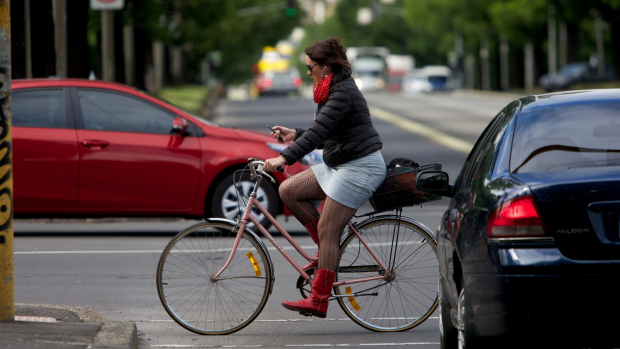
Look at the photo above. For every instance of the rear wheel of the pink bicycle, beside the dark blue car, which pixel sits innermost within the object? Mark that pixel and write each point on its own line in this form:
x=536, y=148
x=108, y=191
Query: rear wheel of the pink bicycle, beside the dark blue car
x=408, y=296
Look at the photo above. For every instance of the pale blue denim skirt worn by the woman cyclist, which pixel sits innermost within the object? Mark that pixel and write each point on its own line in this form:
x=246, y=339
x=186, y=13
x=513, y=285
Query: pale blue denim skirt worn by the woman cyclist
x=353, y=182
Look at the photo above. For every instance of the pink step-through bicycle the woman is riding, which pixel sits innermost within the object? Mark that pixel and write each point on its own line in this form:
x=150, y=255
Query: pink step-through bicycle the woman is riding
x=215, y=277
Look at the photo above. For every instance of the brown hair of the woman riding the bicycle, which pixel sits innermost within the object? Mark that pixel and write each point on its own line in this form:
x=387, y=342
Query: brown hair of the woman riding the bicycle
x=330, y=52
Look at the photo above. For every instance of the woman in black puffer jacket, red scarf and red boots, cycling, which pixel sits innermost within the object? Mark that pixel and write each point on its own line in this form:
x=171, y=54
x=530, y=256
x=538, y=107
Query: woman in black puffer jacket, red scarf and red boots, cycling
x=353, y=169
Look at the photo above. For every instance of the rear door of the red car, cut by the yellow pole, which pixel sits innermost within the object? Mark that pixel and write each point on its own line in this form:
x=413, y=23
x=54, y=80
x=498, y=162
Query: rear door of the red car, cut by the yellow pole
x=45, y=151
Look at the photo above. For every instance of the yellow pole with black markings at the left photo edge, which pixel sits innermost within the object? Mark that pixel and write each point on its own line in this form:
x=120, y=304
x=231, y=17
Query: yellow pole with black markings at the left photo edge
x=7, y=288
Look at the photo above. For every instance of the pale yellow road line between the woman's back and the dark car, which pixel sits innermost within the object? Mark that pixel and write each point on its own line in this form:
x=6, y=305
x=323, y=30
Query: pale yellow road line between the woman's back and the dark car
x=422, y=130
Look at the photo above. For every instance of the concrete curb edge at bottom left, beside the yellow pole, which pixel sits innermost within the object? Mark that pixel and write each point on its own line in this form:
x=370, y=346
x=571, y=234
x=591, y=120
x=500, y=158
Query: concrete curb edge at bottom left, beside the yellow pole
x=117, y=335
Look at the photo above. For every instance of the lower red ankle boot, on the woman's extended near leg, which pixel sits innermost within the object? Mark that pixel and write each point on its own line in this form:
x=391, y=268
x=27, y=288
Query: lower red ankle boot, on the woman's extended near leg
x=317, y=303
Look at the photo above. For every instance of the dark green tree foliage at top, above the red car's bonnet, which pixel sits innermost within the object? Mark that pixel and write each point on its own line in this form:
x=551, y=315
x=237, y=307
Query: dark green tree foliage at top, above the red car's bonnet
x=202, y=26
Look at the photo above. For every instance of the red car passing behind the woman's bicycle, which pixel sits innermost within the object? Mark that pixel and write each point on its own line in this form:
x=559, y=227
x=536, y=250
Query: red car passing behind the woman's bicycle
x=92, y=148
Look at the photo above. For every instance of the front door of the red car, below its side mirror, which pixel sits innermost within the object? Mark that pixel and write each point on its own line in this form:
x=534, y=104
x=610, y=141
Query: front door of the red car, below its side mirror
x=129, y=159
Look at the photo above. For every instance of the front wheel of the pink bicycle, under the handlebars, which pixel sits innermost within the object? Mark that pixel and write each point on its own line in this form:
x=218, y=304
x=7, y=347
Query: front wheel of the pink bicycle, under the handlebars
x=203, y=305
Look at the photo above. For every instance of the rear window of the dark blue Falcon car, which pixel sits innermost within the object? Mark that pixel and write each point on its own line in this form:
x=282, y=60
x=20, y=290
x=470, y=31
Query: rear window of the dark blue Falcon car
x=567, y=137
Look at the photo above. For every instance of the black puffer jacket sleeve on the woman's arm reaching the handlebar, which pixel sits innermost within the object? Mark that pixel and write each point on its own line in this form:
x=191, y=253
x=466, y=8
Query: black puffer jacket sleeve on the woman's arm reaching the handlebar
x=337, y=106
